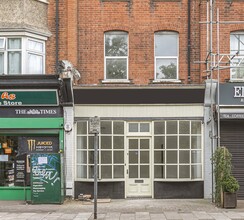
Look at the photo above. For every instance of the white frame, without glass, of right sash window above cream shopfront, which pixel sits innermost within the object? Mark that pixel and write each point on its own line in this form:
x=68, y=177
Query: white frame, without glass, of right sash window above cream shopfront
x=166, y=57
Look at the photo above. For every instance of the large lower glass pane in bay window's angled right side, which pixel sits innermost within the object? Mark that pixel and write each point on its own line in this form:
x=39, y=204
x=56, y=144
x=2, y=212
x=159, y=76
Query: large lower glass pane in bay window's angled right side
x=35, y=64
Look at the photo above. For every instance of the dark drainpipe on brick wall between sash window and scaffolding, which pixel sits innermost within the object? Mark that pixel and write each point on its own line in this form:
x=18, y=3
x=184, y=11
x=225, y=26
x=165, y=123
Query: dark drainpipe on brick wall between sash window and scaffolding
x=189, y=41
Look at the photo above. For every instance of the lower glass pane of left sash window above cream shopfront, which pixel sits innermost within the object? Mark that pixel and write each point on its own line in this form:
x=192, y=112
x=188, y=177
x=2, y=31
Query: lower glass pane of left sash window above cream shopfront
x=116, y=68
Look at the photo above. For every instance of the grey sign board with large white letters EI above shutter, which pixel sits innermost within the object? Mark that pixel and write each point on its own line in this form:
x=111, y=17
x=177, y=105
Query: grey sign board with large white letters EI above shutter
x=231, y=94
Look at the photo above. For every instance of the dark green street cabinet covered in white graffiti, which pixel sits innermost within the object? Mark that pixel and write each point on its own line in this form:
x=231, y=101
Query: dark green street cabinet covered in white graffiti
x=45, y=178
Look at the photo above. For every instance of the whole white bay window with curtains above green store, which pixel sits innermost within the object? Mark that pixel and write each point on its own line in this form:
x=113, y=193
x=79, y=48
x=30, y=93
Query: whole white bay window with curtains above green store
x=21, y=55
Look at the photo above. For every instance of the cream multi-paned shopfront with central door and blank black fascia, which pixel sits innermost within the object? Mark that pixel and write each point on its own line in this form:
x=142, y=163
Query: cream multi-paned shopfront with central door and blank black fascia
x=150, y=144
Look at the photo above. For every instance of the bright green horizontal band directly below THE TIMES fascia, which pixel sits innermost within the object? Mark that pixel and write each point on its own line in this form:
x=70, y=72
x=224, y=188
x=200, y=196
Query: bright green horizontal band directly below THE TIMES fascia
x=31, y=123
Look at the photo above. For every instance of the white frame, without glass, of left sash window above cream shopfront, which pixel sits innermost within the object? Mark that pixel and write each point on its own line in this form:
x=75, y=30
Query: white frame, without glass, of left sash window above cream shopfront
x=116, y=57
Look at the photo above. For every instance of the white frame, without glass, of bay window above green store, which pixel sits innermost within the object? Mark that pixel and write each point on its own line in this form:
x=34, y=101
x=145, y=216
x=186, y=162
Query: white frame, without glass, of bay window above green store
x=24, y=51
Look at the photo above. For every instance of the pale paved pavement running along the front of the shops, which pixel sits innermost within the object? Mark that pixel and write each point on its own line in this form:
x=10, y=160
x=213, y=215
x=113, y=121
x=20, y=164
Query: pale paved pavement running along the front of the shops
x=122, y=209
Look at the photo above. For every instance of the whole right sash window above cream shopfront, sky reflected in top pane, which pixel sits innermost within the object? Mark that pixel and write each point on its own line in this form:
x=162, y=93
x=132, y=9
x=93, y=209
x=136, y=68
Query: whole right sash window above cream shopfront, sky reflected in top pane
x=166, y=55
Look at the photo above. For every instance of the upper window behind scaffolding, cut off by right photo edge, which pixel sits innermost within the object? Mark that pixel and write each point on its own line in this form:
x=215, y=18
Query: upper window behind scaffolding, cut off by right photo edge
x=237, y=51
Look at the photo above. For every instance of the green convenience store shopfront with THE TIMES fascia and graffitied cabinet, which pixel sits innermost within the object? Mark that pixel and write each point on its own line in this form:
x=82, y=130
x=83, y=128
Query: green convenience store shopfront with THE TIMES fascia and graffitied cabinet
x=31, y=141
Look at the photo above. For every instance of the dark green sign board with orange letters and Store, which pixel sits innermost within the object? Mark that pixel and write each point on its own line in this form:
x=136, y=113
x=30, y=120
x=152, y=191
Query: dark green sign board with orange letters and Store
x=15, y=98
